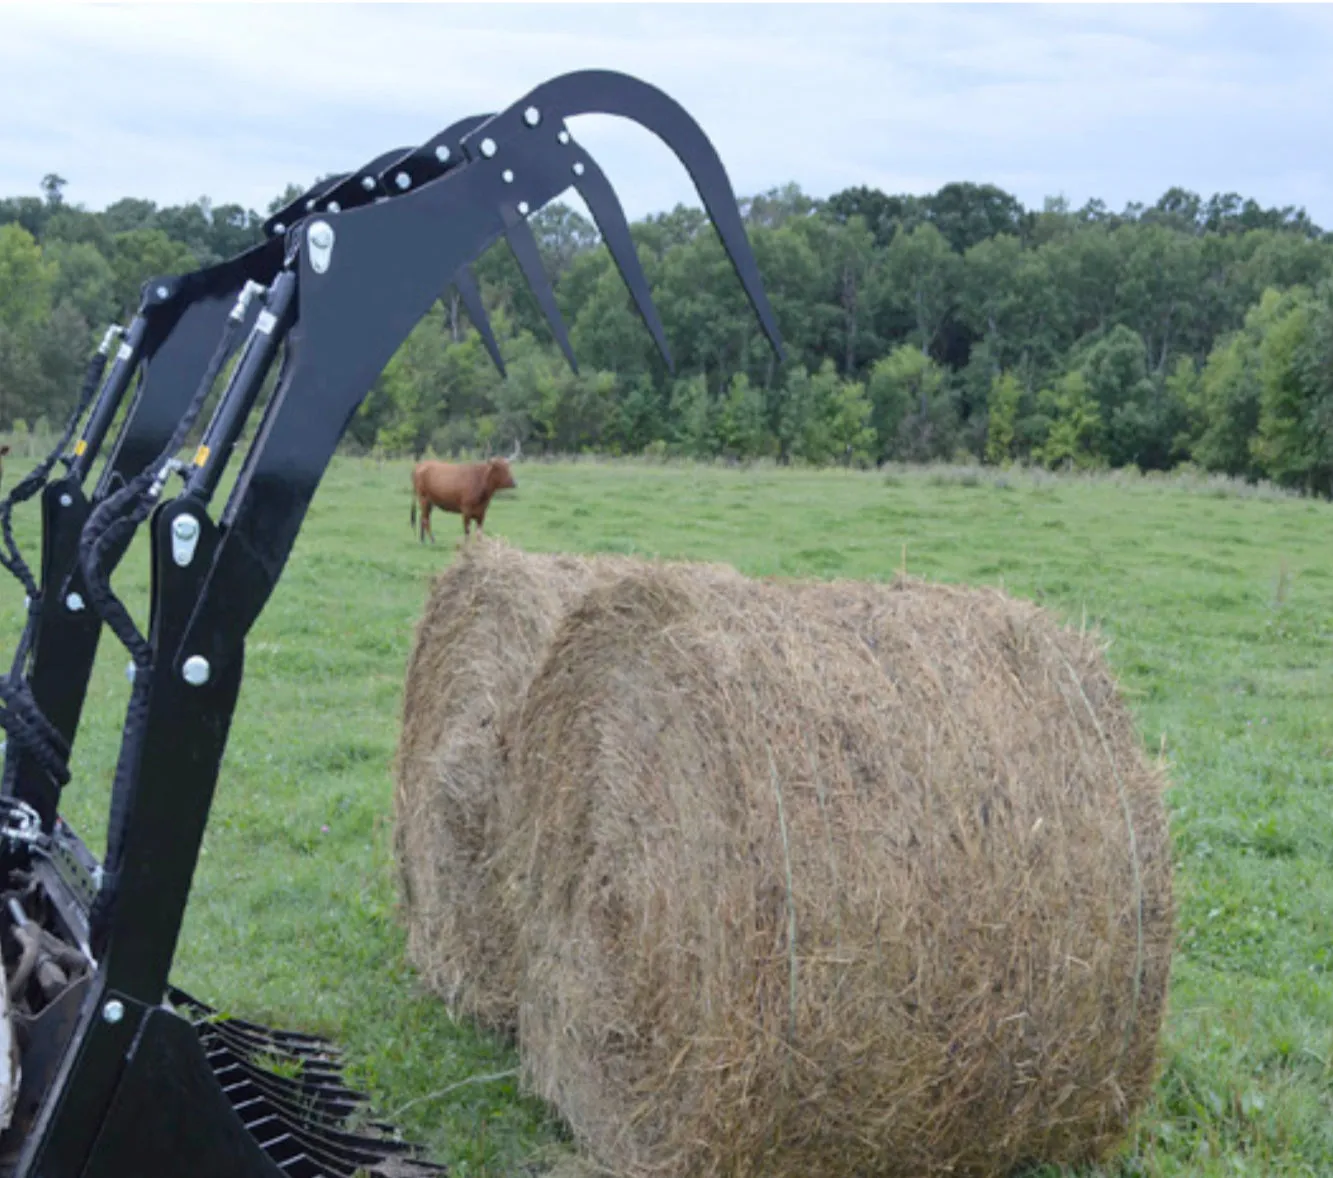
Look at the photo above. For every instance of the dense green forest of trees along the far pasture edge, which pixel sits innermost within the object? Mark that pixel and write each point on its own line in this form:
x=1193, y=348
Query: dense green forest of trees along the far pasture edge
x=958, y=326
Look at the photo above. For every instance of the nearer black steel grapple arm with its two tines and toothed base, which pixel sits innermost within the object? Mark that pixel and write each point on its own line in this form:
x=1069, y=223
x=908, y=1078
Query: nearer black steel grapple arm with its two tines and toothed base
x=125, y=1075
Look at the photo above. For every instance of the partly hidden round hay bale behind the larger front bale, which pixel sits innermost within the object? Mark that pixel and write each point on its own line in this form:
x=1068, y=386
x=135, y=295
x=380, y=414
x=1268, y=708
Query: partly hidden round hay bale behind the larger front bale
x=485, y=630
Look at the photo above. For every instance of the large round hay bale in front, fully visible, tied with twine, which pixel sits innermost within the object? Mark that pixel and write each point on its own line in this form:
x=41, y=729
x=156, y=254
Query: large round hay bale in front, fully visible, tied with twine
x=834, y=880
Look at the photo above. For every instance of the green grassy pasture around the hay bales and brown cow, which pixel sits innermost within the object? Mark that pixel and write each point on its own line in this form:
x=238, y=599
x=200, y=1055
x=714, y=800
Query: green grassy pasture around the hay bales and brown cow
x=1220, y=612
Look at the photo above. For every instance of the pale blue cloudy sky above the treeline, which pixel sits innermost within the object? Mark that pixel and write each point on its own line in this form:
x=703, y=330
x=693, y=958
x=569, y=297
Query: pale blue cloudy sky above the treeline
x=174, y=102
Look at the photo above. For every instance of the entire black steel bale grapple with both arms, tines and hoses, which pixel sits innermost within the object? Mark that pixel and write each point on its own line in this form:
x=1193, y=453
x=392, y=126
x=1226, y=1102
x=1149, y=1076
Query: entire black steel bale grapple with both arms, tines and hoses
x=107, y=1069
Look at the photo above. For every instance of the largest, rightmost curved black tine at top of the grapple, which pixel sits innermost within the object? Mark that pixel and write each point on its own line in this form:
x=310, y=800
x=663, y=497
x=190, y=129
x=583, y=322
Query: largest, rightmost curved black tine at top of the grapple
x=609, y=93
